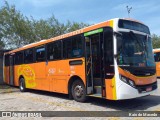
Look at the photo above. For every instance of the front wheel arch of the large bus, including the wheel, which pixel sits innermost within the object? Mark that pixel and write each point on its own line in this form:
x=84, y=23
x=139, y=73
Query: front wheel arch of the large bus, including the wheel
x=75, y=88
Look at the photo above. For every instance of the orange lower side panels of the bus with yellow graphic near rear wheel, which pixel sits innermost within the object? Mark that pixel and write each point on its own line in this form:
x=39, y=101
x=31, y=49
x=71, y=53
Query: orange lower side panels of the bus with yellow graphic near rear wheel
x=52, y=76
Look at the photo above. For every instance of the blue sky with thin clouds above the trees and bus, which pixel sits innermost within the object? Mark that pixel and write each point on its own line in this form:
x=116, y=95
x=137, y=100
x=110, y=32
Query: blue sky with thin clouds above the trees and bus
x=91, y=11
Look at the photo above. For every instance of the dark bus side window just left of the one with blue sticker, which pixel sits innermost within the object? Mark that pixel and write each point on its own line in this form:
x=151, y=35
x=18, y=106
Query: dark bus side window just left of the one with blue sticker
x=28, y=56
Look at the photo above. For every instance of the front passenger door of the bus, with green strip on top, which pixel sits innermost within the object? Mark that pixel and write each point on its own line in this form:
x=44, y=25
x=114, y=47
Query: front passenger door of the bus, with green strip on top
x=94, y=62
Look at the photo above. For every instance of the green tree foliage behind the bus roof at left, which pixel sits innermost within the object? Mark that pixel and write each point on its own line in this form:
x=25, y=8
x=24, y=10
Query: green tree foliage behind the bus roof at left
x=17, y=30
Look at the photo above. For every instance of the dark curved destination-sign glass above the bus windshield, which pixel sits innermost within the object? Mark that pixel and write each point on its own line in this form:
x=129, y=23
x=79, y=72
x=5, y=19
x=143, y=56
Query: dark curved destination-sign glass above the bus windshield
x=133, y=26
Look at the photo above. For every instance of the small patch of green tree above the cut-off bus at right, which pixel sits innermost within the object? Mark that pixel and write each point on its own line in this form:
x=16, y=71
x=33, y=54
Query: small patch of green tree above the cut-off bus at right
x=156, y=41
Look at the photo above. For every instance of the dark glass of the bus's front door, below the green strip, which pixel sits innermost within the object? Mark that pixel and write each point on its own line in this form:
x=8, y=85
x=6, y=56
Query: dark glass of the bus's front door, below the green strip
x=93, y=61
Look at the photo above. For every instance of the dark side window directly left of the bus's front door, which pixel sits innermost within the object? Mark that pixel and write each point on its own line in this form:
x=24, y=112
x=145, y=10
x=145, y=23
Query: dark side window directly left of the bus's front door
x=73, y=47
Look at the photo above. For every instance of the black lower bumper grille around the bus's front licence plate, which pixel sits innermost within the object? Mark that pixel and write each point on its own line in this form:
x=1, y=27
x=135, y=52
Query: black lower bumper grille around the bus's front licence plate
x=143, y=88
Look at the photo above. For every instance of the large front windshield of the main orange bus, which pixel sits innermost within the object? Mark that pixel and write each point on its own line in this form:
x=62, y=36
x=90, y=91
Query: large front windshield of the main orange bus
x=135, y=50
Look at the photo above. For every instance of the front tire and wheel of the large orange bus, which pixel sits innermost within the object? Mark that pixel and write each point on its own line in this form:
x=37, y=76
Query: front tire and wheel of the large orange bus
x=78, y=91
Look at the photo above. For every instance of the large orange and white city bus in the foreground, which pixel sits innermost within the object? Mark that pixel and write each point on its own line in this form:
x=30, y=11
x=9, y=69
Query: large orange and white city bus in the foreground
x=111, y=60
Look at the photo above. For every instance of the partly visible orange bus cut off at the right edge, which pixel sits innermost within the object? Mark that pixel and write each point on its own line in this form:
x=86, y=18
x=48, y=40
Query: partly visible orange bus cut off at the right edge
x=157, y=60
